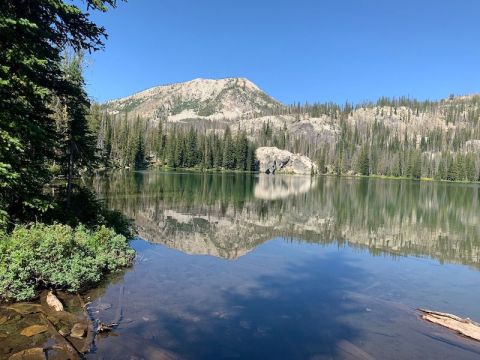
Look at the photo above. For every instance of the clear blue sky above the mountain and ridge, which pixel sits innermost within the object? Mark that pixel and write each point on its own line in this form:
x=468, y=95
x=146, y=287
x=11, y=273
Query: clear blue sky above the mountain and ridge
x=296, y=50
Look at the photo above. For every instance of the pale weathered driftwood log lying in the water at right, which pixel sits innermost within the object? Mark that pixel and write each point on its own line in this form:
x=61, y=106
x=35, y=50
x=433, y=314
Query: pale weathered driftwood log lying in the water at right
x=465, y=327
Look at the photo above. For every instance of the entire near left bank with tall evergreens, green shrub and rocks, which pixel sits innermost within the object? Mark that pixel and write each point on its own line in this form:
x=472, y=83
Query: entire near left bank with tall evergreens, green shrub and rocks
x=56, y=237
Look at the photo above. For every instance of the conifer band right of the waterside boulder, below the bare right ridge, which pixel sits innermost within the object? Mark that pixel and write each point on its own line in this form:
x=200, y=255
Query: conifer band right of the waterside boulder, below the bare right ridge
x=375, y=150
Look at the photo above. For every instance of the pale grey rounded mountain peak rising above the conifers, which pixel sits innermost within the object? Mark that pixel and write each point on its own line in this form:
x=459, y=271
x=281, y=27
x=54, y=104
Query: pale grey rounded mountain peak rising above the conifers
x=230, y=99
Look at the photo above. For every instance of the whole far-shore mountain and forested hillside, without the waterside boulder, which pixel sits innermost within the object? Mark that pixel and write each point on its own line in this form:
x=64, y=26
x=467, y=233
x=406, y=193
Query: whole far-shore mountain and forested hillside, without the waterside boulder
x=391, y=137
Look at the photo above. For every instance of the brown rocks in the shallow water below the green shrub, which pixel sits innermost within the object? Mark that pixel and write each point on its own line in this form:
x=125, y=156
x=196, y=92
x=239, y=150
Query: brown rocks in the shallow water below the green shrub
x=55, y=327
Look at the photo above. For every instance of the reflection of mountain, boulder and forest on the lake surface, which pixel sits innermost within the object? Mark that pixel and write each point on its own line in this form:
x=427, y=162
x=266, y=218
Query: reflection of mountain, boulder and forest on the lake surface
x=229, y=214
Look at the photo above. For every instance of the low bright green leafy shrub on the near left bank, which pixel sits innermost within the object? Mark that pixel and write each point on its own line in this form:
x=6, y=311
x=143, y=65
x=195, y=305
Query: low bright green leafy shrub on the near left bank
x=58, y=256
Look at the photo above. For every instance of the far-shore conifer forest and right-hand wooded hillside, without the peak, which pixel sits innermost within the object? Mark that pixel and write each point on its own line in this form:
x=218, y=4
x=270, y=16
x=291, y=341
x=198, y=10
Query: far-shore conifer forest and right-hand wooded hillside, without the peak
x=385, y=138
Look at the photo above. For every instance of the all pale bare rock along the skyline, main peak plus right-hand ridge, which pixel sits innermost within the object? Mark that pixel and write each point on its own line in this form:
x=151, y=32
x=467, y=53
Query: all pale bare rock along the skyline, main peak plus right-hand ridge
x=243, y=105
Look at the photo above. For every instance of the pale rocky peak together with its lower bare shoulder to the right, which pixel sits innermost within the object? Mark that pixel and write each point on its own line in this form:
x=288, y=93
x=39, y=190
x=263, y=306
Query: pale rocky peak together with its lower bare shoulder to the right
x=236, y=102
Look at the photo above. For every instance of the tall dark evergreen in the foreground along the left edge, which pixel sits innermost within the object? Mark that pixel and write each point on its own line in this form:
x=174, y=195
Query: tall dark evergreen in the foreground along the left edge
x=33, y=35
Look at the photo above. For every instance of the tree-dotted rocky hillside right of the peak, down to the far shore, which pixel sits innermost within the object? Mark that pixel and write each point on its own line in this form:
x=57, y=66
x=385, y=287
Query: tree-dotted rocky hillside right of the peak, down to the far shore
x=388, y=137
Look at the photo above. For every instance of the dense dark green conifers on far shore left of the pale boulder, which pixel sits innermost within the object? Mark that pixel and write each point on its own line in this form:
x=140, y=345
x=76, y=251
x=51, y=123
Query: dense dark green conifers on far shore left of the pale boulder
x=137, y=143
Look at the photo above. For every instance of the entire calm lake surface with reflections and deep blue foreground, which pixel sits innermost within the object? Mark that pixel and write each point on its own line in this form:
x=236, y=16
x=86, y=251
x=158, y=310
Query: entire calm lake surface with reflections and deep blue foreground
x=290, y=267
